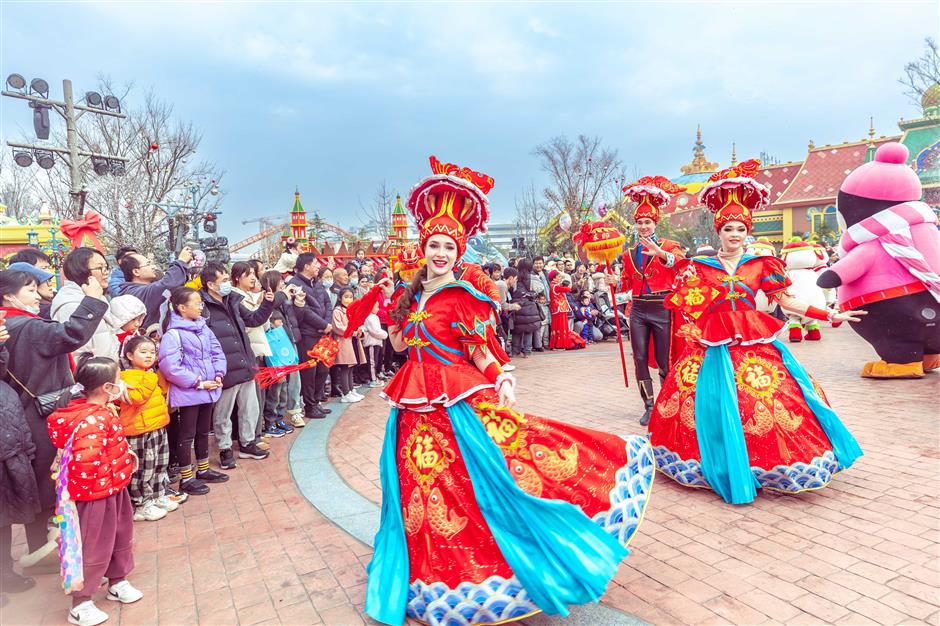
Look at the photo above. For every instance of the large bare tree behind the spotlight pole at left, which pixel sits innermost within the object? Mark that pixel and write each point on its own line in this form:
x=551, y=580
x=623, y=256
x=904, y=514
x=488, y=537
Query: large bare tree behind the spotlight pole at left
x=160, y=170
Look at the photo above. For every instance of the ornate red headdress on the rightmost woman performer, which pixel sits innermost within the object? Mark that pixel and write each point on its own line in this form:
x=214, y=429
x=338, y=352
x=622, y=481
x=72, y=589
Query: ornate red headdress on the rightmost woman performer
x=733, y=194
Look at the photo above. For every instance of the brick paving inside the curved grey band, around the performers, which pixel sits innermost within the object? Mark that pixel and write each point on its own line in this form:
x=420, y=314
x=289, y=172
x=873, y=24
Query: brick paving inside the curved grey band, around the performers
x=864, y=550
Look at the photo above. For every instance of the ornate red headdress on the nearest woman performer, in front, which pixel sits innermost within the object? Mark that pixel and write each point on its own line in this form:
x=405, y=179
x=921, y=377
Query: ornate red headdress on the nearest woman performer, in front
x=451, y=202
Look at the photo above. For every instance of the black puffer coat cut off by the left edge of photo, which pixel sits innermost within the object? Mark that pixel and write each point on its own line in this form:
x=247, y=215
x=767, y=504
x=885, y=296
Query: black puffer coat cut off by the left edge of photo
x=19, y=495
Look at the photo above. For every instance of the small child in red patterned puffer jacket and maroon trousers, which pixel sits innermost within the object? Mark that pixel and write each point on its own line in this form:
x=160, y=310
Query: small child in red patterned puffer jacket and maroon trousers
x=95, y=468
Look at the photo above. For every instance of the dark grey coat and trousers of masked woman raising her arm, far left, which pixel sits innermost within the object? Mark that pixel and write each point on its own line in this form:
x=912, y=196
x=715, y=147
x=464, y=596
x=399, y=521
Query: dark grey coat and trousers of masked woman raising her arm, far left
x=38, y=357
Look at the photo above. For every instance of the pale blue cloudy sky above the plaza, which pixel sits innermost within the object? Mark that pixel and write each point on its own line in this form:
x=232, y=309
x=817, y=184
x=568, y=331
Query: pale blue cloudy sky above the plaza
x=334, y=98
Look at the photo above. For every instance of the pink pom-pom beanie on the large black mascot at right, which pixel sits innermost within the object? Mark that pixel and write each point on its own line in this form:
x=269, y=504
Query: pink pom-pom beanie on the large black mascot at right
x=888, y=177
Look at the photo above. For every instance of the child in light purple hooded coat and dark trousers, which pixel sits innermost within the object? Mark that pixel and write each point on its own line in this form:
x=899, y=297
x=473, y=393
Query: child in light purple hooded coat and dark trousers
x=192, y=361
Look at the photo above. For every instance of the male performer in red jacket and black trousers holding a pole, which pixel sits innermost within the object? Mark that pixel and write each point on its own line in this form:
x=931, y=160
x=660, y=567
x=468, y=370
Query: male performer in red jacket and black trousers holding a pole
x=649, y=269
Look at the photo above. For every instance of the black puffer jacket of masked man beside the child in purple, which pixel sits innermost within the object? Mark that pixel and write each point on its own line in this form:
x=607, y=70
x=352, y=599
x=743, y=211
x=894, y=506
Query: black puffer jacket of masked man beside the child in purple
x=227, y=320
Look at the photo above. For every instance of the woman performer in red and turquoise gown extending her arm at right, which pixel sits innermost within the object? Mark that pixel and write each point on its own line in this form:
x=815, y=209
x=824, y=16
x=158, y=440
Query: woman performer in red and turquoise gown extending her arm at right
x=738, y=412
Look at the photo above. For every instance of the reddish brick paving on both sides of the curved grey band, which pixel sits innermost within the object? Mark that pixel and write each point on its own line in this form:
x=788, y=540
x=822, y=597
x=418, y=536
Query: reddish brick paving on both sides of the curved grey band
x=864, y=550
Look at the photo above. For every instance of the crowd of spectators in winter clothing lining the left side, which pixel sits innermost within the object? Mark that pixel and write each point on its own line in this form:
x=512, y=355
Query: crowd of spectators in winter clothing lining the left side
x=114, y=383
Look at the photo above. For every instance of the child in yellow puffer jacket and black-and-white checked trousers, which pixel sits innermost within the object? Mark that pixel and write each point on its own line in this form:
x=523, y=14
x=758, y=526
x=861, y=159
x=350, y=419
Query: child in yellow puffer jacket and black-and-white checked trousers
x=145, y=416
